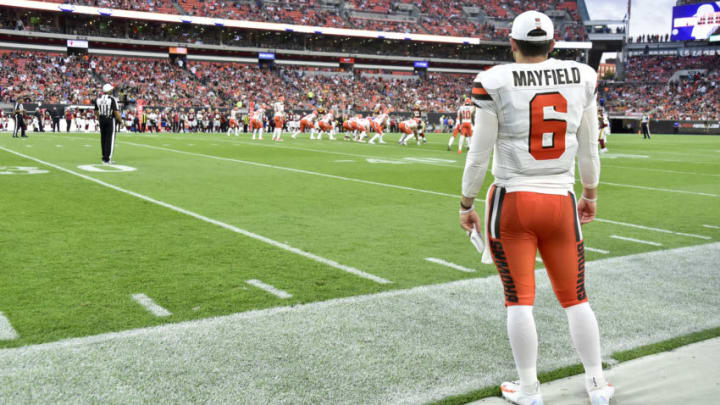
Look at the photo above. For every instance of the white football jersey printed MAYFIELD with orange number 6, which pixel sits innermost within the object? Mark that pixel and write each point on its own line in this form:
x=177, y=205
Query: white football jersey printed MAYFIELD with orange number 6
x=539, y=107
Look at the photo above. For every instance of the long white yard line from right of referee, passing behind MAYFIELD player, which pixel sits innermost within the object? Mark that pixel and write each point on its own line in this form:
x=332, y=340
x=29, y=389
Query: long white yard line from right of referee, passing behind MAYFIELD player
x=374, y=183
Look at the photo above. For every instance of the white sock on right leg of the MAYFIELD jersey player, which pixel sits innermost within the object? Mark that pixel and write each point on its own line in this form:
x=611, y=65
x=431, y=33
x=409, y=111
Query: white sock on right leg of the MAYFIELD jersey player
x=586, y=339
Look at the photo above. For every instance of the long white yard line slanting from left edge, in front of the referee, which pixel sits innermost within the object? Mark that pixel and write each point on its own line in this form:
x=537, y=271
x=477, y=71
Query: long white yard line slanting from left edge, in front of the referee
x=284, y=246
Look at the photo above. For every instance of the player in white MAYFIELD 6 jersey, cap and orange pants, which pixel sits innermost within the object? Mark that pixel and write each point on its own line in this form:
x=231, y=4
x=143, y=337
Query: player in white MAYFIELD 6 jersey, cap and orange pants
x=537, y=115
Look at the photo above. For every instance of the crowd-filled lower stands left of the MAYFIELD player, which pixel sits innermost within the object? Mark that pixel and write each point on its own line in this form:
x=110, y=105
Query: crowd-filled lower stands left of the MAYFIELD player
x=52, y=78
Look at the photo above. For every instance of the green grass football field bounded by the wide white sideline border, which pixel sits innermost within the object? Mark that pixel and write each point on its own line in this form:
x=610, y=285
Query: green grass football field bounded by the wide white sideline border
x=210, y=225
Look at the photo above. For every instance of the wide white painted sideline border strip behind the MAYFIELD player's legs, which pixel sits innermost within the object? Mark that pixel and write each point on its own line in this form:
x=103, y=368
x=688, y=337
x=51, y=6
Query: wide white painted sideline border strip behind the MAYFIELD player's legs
x=454, y=332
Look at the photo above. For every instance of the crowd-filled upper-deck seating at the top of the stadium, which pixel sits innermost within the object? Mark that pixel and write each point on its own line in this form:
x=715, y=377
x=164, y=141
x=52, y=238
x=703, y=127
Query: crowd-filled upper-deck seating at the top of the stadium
x=487, y=20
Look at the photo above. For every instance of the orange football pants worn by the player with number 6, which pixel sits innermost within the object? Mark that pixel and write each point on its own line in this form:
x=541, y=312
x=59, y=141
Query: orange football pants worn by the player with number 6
x=519, y=224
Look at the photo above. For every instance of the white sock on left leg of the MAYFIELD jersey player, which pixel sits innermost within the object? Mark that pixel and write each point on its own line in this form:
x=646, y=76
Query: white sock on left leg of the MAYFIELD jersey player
x=523, y=340
